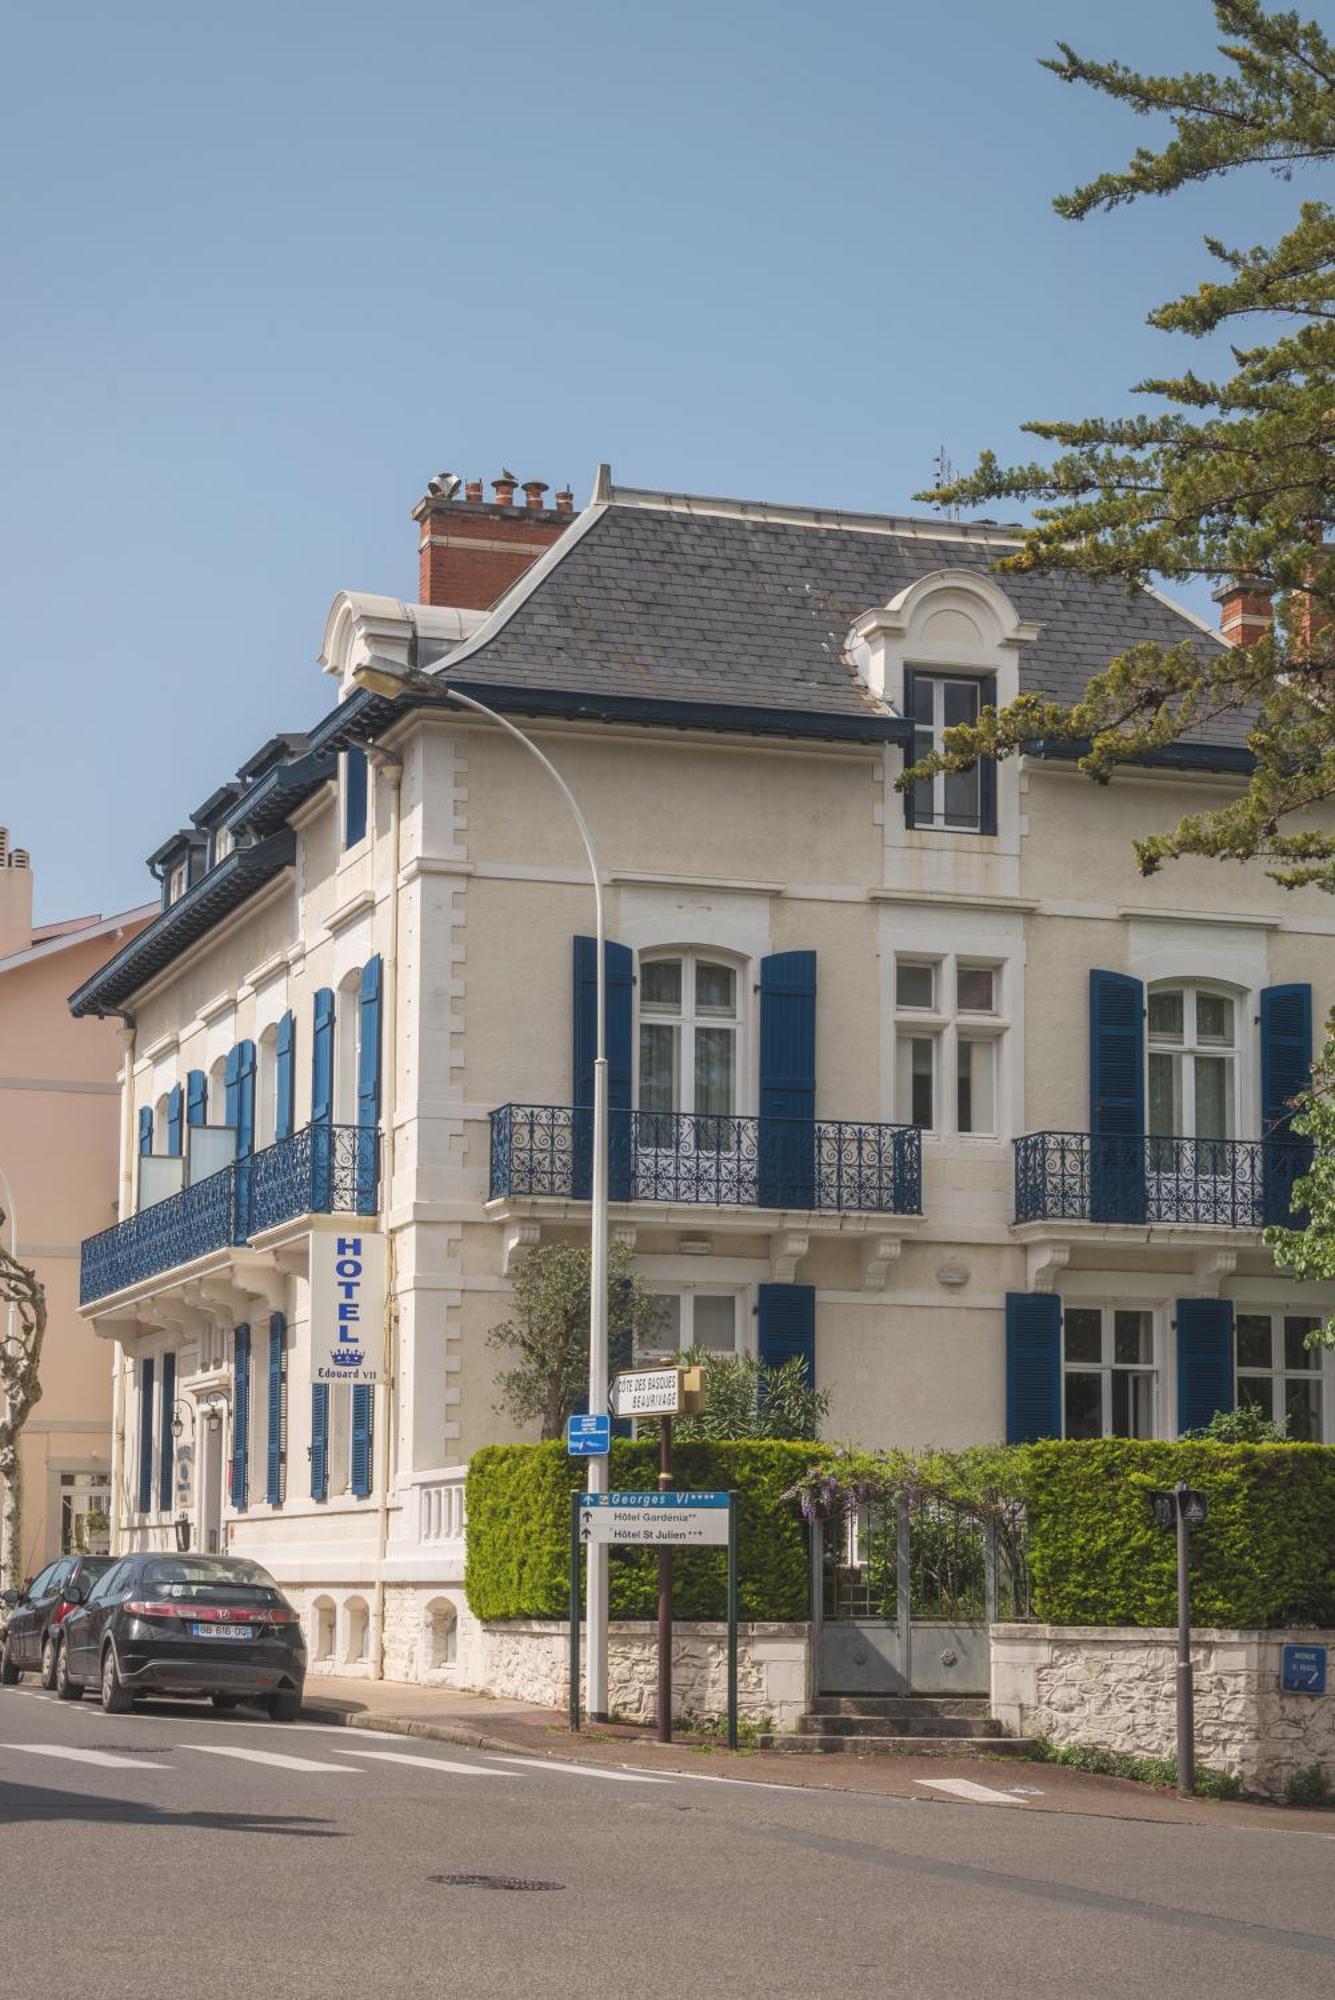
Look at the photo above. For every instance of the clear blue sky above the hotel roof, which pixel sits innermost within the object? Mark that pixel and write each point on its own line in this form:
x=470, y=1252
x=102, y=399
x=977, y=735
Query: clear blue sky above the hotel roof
x=271, y=267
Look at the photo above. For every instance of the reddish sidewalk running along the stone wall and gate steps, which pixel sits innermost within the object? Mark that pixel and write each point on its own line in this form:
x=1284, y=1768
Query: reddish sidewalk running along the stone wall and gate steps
x=481, y=1723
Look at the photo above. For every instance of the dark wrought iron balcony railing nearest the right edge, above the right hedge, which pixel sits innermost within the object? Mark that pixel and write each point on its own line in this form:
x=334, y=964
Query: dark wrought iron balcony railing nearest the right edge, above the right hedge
x=1086, y=1177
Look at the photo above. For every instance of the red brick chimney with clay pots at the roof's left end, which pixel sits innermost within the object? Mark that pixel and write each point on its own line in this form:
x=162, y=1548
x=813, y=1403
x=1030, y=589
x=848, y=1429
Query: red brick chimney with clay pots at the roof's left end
x=471, y=549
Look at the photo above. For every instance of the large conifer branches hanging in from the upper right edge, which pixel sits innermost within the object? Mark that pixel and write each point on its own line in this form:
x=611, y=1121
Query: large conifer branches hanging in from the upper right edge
x=1224, y=477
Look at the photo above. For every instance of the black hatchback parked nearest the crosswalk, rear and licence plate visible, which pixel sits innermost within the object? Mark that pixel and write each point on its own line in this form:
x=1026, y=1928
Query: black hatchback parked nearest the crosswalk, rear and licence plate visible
x=185, y=1625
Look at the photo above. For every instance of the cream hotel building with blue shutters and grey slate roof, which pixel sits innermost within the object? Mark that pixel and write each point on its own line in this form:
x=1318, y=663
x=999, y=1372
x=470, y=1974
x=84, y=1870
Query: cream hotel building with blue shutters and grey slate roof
x=934, y=1091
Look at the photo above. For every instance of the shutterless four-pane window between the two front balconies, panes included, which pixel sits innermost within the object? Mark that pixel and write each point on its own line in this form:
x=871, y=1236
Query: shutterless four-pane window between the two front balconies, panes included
x=948, y=1039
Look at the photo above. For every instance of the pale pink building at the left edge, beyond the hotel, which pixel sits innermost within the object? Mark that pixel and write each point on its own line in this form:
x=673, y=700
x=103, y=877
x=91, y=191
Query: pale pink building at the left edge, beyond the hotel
x=59, y=1165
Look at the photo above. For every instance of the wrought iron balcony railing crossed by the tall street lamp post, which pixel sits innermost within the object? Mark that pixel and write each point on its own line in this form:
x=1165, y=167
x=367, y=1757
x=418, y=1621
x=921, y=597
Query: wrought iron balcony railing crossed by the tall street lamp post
x=706, y=1161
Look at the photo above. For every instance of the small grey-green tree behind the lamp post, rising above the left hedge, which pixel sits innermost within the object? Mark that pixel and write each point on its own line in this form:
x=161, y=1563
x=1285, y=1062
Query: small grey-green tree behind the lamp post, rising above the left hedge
x=549, y=1333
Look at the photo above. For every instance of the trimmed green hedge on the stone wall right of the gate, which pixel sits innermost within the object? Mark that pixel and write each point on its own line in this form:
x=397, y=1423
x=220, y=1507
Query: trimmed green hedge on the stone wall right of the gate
x=1266, y=1555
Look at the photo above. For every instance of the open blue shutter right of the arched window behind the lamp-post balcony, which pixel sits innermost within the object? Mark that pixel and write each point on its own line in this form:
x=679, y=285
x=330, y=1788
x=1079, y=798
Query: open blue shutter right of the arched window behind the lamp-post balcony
x=786, y=1169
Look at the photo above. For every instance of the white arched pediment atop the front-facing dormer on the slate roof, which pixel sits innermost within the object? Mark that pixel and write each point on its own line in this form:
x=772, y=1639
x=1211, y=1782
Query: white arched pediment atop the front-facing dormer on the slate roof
x=946, y=619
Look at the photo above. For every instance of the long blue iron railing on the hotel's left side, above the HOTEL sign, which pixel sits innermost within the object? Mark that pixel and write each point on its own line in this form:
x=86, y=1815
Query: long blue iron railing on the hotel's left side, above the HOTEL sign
x=319, y=1171
